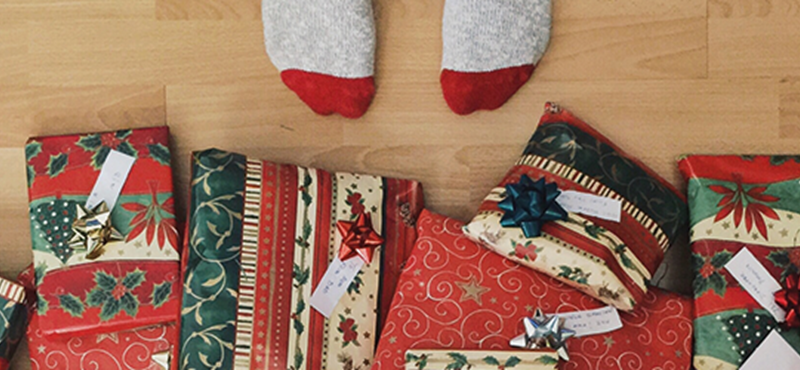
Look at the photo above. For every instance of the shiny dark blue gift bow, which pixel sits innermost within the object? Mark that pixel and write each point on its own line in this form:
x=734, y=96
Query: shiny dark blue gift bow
x=529, y=205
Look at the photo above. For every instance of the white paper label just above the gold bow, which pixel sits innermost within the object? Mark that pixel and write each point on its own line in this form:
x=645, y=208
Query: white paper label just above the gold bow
x=112, y=178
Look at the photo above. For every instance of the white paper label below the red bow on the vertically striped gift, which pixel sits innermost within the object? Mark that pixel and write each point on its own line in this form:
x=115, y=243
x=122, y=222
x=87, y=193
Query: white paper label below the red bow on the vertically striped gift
x=334, y=284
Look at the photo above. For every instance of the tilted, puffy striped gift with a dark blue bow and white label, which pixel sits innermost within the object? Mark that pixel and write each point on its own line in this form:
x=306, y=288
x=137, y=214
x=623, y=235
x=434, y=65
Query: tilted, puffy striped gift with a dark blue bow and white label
x=578, y=208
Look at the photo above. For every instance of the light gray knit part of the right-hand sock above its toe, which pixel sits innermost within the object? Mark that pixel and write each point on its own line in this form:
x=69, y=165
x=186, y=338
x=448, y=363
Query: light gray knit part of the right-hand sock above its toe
x=488, y=35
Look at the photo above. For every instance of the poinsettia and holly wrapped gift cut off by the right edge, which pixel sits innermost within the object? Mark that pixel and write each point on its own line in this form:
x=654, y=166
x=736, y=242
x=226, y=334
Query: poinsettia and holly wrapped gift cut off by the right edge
x=739, y=202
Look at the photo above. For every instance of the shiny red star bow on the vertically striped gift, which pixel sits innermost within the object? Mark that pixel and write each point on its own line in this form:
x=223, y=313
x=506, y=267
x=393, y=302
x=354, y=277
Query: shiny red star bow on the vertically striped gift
x=358, y=238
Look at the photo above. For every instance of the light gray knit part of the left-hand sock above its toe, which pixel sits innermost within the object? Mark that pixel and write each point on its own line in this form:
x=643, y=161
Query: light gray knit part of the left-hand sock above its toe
x=332, y=37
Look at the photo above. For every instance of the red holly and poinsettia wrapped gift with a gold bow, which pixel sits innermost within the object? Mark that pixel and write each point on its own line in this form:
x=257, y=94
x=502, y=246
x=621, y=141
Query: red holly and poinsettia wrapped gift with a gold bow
x=127, y=283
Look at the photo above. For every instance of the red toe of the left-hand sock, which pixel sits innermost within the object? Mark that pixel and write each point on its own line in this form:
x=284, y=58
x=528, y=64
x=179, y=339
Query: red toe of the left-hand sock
x=327, y=94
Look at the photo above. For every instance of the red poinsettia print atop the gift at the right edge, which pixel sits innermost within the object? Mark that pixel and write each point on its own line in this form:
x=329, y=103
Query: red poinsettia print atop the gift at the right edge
x=745, y=203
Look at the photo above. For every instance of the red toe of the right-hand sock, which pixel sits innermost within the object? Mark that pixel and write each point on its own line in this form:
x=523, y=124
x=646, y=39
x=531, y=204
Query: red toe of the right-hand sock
x=466, y=92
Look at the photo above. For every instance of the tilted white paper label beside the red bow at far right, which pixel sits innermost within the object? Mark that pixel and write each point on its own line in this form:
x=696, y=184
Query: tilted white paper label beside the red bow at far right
x=756, y=280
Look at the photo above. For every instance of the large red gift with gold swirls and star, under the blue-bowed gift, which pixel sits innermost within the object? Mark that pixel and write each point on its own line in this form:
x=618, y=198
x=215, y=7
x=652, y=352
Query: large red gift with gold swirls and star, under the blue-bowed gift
x=455, y=295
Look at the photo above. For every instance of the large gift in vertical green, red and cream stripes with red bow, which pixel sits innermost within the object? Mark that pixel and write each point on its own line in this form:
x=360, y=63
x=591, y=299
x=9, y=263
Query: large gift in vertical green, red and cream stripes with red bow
x=261, y=236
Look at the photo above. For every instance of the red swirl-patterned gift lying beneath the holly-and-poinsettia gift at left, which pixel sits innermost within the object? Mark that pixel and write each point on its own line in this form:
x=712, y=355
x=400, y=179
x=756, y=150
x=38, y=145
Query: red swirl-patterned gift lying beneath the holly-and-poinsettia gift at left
x=148, y=348
